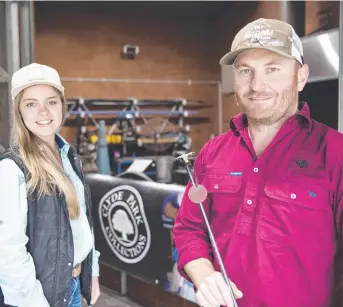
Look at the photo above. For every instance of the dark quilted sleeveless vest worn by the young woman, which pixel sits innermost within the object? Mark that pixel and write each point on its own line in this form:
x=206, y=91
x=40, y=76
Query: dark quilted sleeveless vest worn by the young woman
x=50, y=240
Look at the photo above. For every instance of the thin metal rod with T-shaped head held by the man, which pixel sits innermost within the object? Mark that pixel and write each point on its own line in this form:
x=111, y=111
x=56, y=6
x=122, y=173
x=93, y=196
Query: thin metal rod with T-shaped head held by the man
x=213, y=241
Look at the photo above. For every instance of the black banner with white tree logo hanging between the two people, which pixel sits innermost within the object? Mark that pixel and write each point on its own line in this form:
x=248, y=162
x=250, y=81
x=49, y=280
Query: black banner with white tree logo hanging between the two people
x=128, y=228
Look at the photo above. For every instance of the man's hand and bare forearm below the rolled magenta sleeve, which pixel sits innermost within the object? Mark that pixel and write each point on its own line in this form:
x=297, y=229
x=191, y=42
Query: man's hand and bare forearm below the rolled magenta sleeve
x=212, y=290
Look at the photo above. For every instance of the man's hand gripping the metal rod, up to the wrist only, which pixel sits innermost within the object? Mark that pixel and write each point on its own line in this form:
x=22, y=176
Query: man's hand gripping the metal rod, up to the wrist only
x=214, y=292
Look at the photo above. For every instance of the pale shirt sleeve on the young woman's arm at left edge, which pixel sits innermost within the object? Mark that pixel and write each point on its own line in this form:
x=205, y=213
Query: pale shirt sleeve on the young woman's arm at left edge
x=17, y=271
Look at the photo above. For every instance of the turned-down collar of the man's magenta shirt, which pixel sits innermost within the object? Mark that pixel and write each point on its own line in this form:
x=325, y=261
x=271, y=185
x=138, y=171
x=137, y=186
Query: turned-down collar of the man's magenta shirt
x=240, y=121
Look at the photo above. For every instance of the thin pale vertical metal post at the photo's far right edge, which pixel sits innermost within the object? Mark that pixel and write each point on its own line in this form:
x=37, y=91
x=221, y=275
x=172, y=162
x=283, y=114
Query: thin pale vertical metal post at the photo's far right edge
x=340, y=72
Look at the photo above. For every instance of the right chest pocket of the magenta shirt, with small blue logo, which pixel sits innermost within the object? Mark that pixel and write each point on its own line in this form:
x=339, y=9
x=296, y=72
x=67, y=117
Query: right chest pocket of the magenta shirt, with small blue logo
x=296, y=212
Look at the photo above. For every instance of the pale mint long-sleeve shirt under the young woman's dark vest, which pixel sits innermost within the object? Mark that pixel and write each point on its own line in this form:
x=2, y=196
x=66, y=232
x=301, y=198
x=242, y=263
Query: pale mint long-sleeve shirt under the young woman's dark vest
x=17, y=271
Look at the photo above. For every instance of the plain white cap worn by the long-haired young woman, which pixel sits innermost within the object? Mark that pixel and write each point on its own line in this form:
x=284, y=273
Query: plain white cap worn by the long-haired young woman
x=34, y=74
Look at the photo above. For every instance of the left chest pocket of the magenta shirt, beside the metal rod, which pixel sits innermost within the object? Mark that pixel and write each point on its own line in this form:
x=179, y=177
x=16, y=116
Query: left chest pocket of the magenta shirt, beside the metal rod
x=225, y=196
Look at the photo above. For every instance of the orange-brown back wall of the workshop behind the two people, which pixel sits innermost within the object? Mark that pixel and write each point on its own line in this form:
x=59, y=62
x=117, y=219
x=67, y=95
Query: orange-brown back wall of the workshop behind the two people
x=86, y=43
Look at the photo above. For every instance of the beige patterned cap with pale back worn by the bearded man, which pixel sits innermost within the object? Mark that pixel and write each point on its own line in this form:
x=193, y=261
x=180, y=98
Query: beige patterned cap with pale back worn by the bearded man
x=269, y=34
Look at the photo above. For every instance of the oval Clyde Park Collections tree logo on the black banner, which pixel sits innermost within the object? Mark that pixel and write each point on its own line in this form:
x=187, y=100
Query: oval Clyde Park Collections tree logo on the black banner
x=124, y=223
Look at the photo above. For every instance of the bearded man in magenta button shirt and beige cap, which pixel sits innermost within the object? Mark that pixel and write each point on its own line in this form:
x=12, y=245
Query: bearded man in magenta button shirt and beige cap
x=274, y=183
